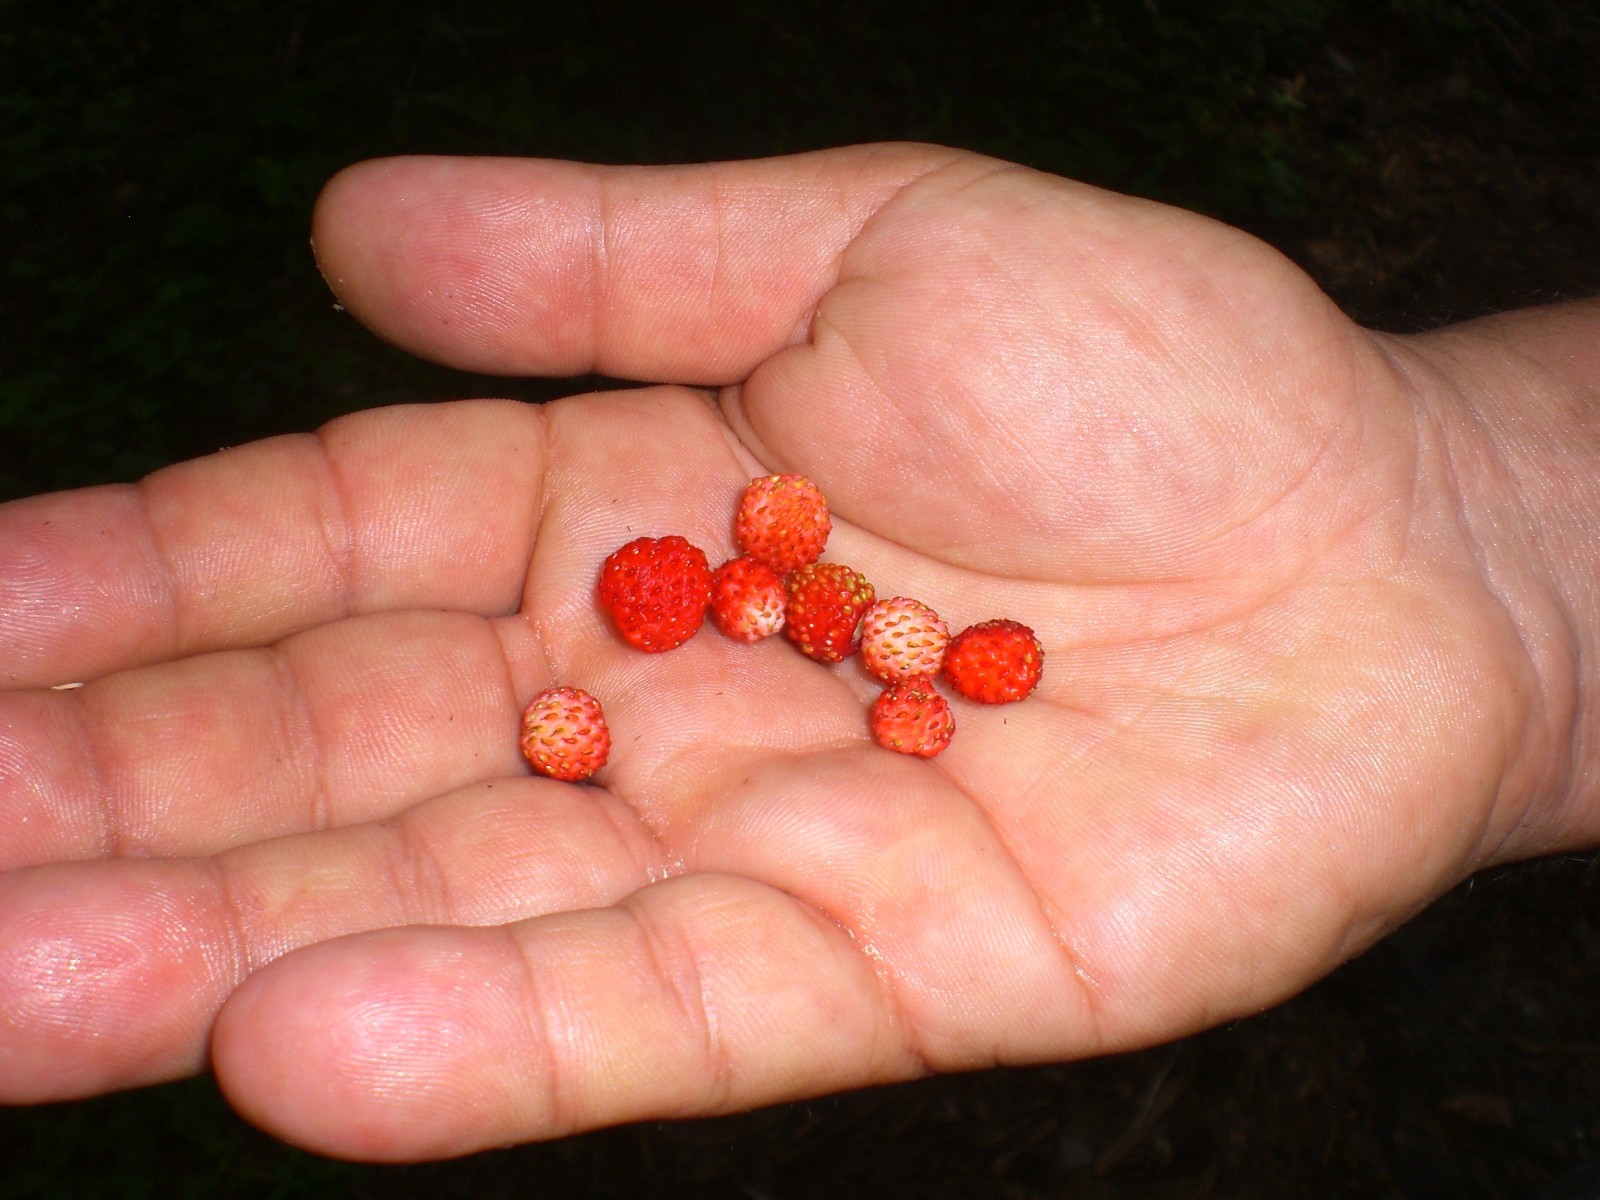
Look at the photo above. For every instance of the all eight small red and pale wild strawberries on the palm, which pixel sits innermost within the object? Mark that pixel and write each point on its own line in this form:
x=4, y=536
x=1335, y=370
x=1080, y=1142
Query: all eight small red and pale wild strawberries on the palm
x=658, y=593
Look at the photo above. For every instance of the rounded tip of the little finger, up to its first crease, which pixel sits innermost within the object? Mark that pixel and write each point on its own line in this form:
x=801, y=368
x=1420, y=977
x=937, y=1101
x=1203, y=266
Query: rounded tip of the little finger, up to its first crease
x=378, y=1047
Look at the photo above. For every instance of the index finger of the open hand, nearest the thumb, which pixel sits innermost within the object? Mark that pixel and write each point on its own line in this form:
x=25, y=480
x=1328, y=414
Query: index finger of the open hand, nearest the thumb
x=398, y=508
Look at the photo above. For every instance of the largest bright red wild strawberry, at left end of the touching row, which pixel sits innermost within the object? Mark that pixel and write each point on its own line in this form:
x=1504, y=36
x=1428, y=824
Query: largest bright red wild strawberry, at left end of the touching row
x=657, y=591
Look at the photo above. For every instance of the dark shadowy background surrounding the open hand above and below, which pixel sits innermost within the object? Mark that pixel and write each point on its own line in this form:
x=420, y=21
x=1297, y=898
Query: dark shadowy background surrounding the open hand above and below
x=1426, y=161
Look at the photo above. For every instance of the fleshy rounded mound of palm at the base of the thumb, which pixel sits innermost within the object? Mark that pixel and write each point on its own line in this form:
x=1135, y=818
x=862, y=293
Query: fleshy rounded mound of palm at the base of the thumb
x=1033, y=377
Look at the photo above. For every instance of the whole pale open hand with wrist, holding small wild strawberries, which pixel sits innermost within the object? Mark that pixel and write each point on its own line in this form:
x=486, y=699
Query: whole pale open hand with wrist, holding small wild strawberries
x=1318, y=604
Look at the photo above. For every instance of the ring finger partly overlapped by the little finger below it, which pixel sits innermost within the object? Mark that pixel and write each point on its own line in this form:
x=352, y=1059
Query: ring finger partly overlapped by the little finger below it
x=111, y=974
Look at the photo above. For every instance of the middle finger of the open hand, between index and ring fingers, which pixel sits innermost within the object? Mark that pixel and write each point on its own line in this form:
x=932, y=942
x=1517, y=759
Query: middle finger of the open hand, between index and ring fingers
x=350, y=722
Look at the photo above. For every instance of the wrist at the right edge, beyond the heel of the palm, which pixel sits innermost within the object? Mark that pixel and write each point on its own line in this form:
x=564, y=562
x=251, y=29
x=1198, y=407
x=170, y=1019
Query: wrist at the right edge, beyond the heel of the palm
x=1518, y=399
